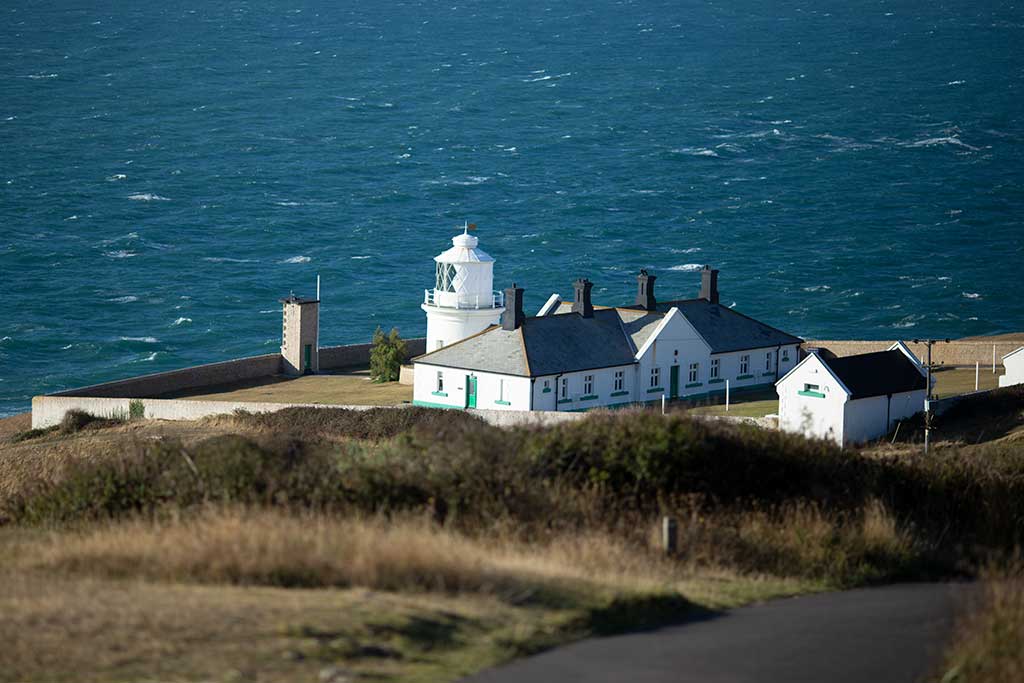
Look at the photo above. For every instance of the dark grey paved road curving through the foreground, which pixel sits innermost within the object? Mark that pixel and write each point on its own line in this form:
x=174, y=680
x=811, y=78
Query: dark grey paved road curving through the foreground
x=874, y=635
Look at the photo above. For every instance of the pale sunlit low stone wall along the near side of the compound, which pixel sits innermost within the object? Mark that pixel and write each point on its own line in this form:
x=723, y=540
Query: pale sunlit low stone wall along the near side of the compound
x=50, y=411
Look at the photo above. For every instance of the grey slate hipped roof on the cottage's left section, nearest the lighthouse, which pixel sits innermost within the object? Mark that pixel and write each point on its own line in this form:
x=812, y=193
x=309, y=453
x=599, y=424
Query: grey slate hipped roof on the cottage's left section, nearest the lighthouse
x=546, y=346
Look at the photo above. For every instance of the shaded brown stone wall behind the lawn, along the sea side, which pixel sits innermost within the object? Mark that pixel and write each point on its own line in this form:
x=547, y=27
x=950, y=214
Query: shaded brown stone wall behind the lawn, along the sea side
x=226, y=372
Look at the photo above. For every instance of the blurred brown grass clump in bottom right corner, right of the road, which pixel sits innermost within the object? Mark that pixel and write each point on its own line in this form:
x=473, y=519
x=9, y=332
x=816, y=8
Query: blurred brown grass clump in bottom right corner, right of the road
x=990, y=646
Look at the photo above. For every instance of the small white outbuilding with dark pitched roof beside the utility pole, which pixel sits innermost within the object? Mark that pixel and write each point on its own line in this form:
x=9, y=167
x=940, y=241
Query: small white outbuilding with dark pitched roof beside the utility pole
x=854, y=399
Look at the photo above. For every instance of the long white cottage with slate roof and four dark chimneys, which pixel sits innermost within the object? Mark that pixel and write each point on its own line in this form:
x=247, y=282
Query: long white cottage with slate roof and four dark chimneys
x=576, y=357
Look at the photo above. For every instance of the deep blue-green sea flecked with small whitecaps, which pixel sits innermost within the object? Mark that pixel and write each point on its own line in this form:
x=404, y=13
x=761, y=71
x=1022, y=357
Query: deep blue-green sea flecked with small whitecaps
x=169, y=170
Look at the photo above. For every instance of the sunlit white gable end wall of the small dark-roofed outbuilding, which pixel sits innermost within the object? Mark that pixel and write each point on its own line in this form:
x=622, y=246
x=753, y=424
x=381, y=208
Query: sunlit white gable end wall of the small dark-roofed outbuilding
x=812, y=416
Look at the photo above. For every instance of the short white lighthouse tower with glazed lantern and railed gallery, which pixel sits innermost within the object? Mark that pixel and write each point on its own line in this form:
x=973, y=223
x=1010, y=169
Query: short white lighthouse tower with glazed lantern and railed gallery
x=463, y=301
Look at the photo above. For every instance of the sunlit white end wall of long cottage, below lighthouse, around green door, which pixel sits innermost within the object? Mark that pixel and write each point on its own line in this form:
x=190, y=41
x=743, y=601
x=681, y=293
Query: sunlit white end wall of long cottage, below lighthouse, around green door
x=516, y=396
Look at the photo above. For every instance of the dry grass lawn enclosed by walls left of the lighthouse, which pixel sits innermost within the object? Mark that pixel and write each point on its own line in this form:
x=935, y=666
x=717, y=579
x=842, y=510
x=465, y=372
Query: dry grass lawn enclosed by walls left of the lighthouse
x=346, y=389
